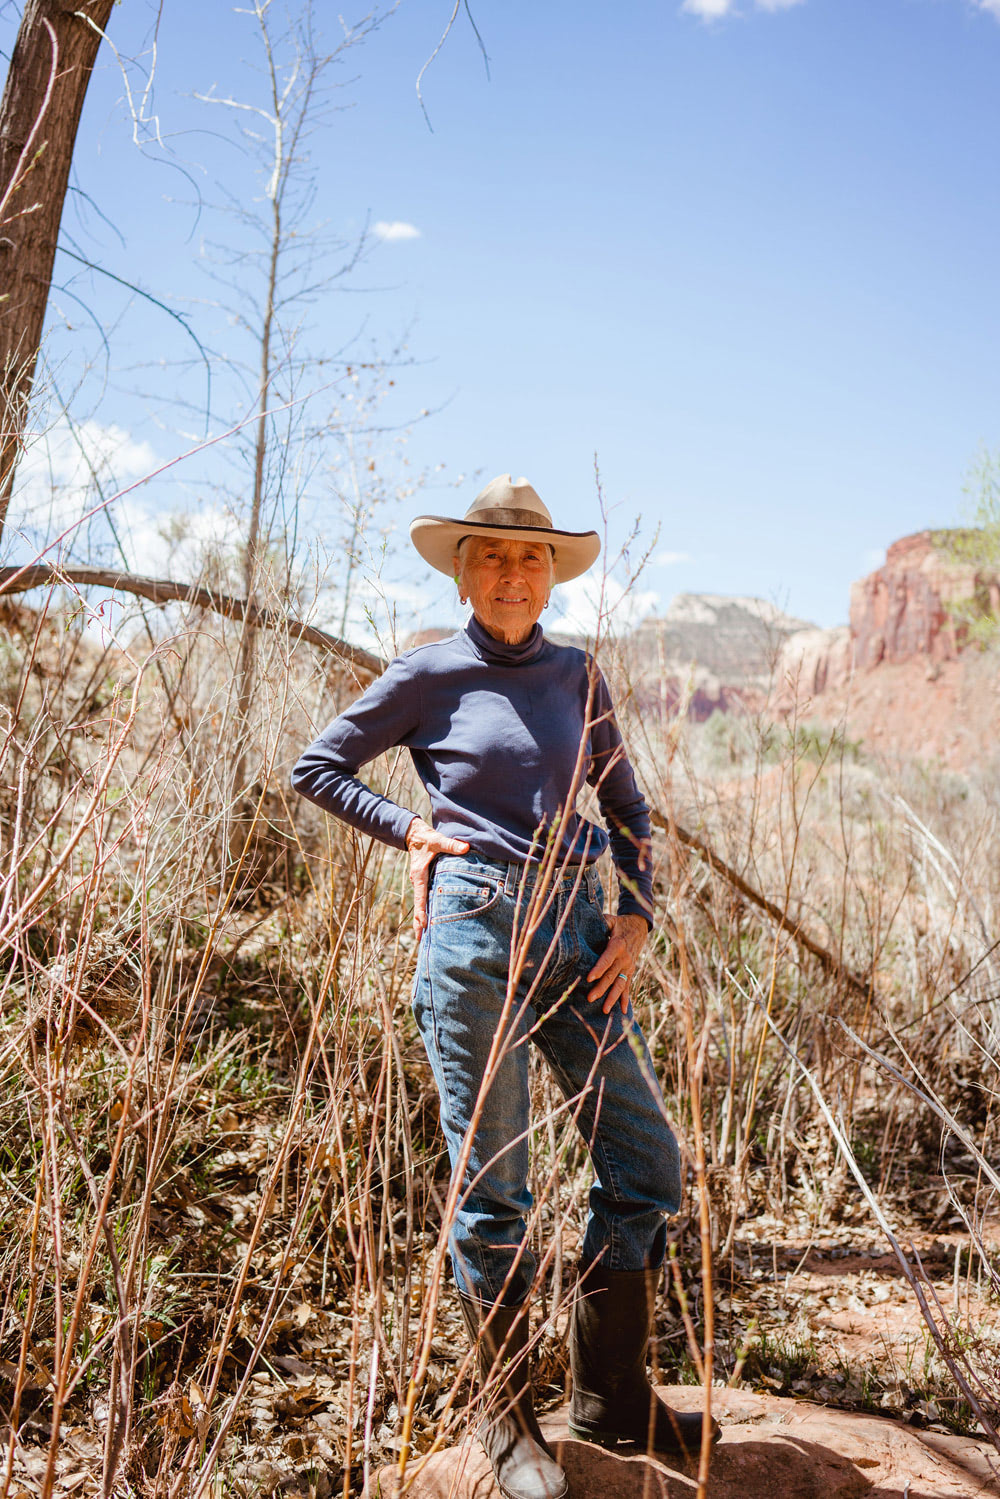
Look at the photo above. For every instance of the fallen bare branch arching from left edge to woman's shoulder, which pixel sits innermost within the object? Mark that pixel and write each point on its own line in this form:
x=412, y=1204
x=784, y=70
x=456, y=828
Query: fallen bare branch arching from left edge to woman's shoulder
x=163, y=591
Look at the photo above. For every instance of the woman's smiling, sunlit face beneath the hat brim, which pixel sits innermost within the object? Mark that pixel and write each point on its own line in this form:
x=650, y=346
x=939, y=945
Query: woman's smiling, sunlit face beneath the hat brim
x=507, y=584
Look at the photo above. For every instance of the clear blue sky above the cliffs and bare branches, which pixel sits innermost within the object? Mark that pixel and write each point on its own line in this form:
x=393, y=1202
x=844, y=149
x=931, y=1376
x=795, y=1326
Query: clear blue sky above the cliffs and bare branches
x=743, y=253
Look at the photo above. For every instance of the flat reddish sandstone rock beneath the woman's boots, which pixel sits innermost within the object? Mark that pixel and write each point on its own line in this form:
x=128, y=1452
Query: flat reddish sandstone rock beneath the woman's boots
x=771, y=1449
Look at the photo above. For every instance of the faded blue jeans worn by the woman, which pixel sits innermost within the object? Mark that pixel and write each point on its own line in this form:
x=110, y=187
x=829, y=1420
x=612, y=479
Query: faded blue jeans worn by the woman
x=473, y=1026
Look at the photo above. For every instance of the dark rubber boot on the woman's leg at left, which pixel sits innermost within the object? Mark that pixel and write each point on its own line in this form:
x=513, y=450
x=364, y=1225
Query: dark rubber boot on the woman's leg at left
x=522, y=1464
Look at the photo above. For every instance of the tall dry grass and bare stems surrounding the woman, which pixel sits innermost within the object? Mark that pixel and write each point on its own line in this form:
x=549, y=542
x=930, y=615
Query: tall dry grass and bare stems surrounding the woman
x=223, y=1179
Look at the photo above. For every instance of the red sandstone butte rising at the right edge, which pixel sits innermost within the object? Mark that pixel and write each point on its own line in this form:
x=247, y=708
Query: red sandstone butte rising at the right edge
x=902, y=677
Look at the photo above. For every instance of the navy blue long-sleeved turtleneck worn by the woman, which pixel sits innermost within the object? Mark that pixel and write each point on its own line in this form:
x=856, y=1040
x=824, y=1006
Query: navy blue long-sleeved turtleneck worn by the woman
x=503, y=738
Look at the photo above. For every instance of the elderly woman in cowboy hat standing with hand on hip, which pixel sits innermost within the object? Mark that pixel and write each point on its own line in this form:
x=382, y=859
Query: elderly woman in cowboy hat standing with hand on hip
x=504, y=729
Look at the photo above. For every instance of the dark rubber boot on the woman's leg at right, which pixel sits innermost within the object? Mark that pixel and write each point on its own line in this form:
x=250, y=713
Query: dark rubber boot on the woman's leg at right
x=612, y=1398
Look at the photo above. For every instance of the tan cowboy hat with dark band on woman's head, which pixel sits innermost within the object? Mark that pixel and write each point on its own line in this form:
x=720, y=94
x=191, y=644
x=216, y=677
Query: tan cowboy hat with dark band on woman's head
x=504, y=509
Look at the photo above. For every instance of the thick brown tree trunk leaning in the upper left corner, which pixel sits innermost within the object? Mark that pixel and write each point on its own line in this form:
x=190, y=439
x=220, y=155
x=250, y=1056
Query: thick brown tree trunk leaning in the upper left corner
x=40, y=115
